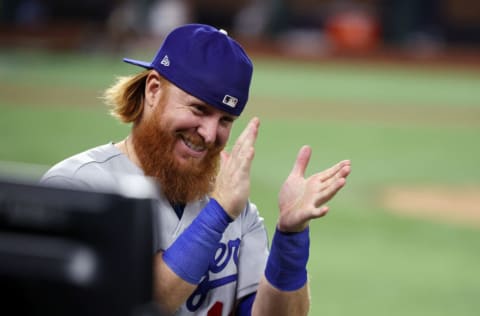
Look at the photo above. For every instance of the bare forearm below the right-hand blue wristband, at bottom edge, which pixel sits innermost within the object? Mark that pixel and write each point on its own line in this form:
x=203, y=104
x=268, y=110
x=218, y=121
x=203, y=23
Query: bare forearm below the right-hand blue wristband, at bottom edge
x=271, y=301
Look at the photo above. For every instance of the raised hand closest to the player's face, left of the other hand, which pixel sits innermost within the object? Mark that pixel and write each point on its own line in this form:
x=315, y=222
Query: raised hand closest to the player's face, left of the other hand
x=232, y=187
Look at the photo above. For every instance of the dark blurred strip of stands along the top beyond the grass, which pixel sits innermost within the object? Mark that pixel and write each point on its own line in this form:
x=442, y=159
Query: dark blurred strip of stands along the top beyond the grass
x=314, y=27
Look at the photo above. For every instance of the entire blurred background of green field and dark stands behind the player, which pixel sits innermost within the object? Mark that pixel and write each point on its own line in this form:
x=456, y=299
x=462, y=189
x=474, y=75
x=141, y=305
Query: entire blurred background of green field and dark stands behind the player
x=392, y=85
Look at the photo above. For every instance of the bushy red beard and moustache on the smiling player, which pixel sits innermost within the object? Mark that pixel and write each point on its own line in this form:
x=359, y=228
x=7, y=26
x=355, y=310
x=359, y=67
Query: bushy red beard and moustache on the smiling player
x=181, y=182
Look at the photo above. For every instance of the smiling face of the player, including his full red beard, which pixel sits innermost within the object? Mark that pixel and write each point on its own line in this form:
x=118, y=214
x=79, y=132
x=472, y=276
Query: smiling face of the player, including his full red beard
x=179, y=141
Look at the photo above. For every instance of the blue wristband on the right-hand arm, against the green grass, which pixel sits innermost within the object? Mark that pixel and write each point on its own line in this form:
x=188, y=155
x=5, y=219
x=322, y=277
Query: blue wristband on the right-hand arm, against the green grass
x=286, y=266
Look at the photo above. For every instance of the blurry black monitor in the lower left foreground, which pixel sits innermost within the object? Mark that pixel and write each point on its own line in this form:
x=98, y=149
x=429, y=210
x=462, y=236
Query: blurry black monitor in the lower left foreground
x=73, y=252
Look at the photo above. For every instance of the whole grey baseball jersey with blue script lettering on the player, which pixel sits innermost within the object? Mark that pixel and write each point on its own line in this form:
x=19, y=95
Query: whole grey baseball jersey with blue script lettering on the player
x=240, y=259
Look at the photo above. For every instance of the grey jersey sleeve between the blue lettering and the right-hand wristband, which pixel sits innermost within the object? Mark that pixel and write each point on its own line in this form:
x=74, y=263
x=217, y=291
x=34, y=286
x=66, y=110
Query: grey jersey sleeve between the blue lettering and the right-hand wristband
x=253, y=251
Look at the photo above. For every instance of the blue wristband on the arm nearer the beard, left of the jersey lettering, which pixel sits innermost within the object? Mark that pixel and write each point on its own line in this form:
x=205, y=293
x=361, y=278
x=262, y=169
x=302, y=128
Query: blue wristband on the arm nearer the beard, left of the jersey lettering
x=190, y=255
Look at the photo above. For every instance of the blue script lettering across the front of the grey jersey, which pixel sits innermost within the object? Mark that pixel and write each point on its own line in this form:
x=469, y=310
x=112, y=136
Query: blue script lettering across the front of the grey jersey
x=225, y=253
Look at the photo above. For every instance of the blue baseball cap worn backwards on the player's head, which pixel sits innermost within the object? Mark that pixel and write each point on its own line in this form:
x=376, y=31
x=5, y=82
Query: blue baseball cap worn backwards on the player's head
x=206, y=63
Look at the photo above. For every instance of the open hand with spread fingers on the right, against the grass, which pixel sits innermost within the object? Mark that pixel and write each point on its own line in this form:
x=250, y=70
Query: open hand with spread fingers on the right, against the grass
x=301, y=200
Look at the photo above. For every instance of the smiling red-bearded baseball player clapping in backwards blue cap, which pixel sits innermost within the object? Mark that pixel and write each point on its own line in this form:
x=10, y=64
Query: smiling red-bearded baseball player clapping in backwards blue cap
x=211, y=250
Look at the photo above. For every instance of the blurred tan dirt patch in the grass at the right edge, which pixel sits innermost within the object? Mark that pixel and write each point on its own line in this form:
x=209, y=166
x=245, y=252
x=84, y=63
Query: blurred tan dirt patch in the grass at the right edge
x=445, y=204
